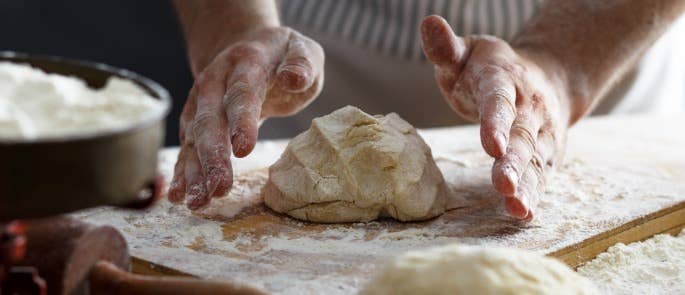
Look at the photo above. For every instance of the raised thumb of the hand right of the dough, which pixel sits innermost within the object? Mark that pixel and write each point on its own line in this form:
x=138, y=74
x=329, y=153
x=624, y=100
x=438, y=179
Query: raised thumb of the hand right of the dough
x=440, y=45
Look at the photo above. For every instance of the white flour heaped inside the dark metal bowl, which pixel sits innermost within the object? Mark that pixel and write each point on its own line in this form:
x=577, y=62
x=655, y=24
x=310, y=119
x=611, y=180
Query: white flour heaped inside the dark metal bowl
x=34, y=104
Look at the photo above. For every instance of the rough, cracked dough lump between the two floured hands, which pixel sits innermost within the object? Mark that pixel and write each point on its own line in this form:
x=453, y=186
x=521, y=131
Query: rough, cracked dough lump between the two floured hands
x=354, y=167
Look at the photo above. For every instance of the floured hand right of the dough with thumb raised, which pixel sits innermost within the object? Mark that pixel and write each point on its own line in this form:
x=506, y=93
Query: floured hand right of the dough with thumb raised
x=520, y=98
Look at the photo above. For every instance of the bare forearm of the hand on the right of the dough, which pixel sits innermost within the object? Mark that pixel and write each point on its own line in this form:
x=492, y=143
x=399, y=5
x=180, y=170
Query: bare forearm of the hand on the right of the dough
x=595, y=42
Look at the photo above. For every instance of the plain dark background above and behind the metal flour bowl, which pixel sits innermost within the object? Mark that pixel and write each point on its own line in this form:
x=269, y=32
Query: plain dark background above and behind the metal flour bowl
x=139, y=35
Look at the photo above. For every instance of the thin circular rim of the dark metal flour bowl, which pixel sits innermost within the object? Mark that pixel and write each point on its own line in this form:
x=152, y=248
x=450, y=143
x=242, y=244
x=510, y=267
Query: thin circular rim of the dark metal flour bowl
x=150, y=86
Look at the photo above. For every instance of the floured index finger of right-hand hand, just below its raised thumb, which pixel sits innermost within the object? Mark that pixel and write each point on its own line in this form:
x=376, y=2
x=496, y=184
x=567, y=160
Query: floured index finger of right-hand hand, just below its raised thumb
x=496, y=96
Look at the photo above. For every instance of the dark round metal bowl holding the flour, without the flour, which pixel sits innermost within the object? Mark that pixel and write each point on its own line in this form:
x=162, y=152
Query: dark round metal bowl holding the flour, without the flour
x=50, y=176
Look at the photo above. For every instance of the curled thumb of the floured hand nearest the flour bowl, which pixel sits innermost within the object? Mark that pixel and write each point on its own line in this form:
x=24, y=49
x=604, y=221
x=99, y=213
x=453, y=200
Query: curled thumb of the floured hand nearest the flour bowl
x=301, y=65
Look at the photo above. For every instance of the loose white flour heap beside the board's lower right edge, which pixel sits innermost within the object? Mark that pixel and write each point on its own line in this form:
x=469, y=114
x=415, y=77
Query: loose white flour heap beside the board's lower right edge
x=655, y=266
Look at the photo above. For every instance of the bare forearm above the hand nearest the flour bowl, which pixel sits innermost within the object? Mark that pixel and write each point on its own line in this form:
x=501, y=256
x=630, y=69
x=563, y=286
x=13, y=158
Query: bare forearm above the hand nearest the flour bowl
x=210, y=24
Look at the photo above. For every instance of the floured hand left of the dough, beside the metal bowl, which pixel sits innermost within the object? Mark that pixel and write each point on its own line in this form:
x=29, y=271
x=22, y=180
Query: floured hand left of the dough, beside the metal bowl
x=267, y=72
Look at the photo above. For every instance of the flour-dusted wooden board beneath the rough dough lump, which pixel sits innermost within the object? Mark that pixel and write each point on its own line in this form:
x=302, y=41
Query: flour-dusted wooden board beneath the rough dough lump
x=623, y=180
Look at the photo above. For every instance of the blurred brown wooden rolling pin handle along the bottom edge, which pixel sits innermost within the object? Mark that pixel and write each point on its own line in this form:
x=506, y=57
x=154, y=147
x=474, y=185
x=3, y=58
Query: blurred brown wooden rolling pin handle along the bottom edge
x=107, y=278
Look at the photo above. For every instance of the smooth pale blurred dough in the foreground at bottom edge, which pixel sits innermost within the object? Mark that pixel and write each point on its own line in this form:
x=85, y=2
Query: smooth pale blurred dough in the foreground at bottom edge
x=460, y=269
